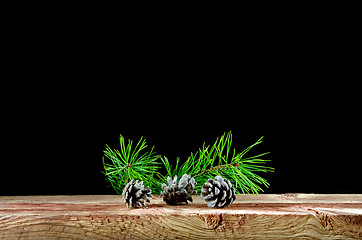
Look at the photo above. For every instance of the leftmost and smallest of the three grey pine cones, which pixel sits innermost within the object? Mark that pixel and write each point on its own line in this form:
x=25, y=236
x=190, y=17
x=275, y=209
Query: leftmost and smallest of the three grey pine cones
x=135, y=193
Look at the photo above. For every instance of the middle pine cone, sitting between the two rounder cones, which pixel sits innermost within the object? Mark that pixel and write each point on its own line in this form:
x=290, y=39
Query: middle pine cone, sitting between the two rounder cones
x=178, y=193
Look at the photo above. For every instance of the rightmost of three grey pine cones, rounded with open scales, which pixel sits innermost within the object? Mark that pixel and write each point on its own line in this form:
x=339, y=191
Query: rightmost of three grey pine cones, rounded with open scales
x=218, y=192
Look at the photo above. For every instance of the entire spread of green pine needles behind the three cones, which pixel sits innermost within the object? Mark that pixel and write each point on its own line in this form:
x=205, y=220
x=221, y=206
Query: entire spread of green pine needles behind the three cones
x=217, y=159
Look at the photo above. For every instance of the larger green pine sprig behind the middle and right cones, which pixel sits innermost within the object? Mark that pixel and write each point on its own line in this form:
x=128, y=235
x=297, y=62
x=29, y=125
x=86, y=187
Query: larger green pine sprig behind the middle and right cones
x=220, y=159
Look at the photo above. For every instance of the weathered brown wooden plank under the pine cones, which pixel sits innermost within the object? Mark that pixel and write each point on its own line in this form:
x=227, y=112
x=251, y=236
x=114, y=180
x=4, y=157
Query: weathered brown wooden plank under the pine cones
x=287, y=216
